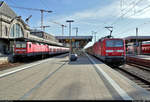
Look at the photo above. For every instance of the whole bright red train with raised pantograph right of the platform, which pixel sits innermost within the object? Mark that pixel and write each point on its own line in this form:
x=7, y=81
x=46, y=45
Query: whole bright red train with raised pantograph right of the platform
x=110, y=50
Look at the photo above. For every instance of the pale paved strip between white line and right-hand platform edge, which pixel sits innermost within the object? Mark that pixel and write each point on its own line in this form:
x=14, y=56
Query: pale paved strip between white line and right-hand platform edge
x=132, y=89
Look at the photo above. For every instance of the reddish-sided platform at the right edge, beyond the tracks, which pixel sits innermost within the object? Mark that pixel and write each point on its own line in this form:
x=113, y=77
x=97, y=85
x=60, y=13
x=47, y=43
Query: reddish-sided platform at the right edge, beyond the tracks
x=143, y=60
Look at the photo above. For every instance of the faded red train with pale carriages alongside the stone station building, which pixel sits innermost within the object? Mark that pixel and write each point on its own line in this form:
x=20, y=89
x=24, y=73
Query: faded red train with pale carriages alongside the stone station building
x=25, y=49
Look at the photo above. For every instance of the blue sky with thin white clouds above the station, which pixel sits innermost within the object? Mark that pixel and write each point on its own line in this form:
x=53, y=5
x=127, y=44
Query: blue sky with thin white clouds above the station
x=88, y=16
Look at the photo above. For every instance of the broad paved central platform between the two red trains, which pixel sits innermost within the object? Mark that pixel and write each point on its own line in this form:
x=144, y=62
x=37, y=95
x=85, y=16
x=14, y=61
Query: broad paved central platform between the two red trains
x=59, y=79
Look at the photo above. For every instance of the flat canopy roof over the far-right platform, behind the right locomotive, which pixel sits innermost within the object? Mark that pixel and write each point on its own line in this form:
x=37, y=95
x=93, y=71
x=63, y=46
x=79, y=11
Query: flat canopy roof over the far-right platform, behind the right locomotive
x=139, y=38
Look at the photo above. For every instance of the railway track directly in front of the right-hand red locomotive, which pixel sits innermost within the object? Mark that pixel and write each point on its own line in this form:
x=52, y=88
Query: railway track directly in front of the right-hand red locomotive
x=136, y=74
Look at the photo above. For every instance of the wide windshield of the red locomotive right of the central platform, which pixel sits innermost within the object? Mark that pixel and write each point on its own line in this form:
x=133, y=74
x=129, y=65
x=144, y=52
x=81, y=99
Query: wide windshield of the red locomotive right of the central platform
x=114, y=43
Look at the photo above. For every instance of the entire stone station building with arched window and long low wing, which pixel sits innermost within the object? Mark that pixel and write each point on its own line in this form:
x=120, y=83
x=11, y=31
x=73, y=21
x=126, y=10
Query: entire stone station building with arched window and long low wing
x=13, y=28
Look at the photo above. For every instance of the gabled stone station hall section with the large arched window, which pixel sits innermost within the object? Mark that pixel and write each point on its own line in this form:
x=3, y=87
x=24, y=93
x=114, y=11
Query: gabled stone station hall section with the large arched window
x=11, y=27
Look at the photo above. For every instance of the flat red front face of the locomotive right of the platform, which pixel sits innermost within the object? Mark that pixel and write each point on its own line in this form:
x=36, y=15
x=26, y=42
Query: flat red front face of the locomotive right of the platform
x=114, y=50
